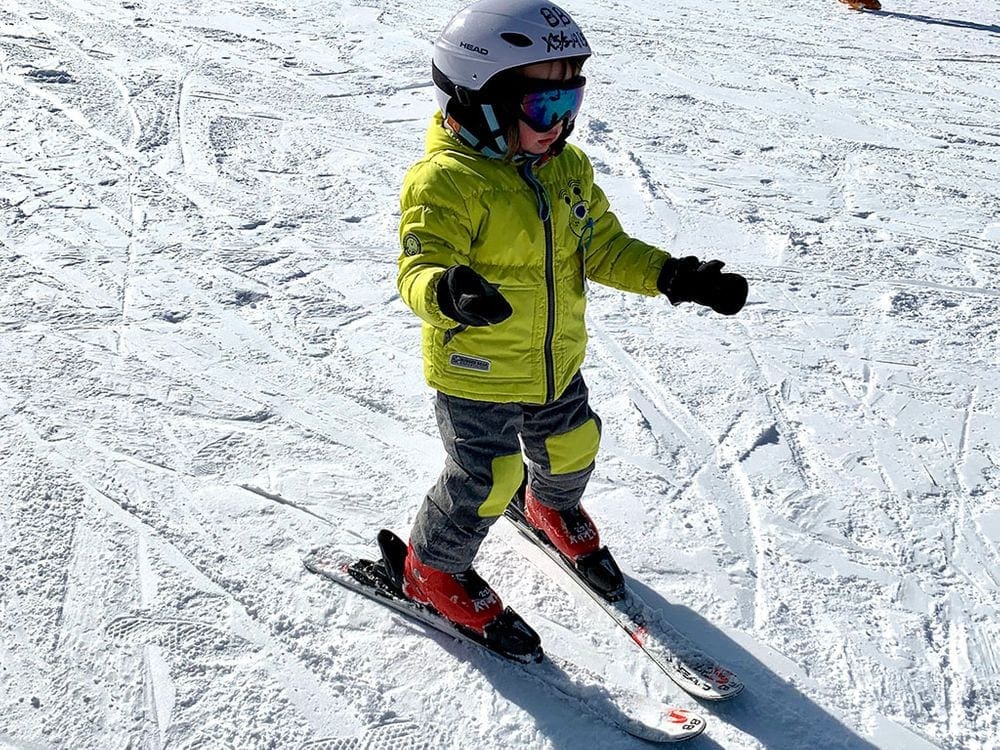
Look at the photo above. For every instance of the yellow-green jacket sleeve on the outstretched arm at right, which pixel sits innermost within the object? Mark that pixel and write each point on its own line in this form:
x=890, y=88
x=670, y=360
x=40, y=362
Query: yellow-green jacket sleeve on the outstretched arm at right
x=616, y=259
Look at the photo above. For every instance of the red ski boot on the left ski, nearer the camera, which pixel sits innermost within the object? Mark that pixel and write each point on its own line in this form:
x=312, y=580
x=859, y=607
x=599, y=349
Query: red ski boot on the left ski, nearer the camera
x=463, y=598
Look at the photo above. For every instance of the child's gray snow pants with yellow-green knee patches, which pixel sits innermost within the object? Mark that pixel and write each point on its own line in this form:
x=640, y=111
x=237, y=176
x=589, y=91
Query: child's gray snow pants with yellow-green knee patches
x=485, y=466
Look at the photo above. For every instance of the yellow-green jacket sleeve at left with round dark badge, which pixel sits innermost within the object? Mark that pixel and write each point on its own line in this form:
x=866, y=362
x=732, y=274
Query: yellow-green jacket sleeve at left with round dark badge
x=435, y=232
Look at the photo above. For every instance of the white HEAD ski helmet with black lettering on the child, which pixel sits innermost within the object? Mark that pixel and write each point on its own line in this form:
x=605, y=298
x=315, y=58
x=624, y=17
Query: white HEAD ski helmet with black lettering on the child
x=486, y=39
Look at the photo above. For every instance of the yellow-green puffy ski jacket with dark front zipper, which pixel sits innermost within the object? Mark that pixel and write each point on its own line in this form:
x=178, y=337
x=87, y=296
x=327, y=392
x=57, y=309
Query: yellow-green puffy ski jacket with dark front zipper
x=538, y=231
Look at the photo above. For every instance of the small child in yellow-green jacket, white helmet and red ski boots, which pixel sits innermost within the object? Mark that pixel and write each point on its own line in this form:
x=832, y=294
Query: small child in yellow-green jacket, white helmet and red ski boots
x=501, y=227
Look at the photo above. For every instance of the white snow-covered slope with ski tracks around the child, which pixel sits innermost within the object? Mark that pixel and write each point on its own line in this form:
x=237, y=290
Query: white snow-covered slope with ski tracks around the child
x=205, y=372
